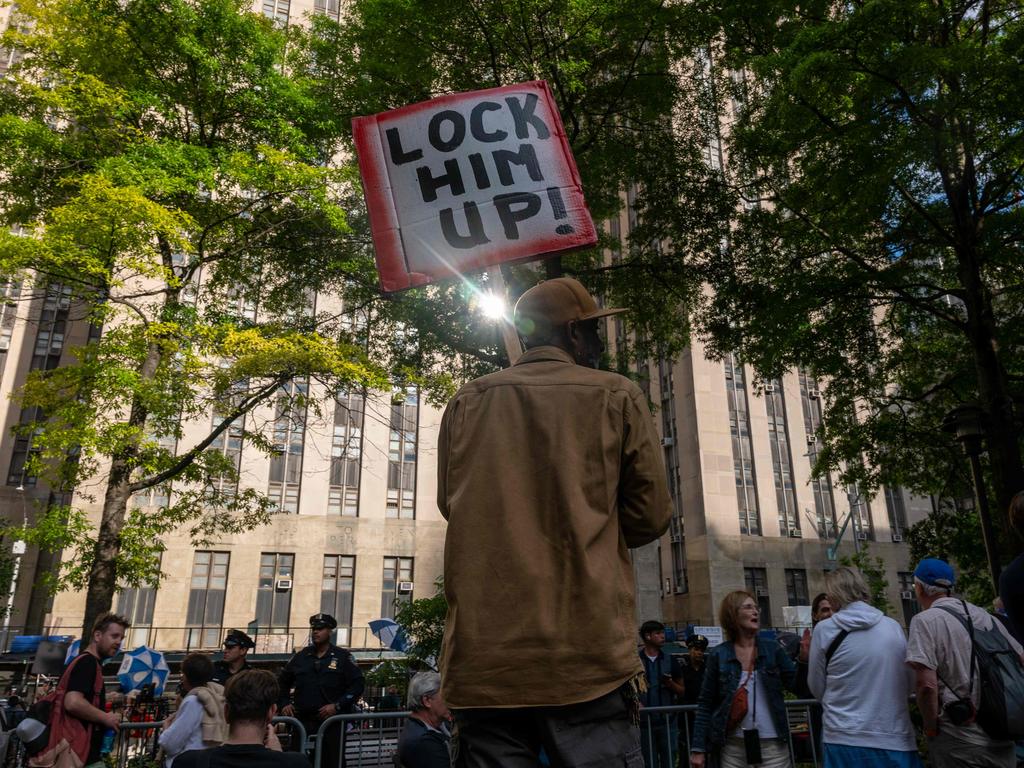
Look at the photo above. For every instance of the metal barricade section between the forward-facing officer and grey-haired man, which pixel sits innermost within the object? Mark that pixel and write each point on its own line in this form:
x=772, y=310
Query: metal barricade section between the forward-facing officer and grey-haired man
x=367, y=740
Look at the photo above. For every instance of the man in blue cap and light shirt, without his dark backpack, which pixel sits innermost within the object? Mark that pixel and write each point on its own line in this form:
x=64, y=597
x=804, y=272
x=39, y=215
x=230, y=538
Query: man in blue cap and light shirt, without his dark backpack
x=948, y=682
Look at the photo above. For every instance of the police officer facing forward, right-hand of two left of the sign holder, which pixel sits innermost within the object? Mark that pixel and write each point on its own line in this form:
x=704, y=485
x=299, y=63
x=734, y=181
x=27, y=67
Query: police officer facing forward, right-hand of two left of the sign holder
x=320, y=681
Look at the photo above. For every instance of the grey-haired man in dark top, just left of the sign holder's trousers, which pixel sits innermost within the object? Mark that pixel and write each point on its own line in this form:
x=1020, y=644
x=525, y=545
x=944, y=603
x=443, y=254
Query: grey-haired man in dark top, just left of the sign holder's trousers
x=424, y=742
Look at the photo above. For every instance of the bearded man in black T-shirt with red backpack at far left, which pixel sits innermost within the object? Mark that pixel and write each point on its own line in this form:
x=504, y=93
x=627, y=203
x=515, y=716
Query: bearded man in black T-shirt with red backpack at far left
x=78, y=715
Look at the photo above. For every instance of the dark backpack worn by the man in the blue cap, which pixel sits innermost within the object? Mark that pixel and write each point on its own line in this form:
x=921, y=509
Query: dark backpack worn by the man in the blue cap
x=1001, y=674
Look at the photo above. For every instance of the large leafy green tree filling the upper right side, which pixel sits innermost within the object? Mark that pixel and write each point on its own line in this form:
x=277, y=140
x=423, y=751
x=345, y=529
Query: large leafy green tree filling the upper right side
x=879, y=150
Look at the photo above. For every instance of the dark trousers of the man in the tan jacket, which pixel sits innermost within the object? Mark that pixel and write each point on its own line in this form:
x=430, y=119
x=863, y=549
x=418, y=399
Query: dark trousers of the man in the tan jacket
x=593, y=735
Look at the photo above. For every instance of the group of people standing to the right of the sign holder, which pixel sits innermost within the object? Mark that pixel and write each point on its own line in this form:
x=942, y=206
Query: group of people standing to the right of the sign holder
x=857, y=662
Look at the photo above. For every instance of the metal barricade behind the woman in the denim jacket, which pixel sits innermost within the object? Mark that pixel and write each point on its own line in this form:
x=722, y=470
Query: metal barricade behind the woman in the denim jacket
x=666, y=733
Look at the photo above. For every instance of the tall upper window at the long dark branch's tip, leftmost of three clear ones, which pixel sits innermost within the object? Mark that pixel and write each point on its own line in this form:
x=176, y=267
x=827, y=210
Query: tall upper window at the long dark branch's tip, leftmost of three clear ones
x=289, y=434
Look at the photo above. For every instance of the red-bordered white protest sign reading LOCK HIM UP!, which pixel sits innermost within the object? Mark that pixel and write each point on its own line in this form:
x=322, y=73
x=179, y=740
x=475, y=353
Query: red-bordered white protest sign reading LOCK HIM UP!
x=470, y=181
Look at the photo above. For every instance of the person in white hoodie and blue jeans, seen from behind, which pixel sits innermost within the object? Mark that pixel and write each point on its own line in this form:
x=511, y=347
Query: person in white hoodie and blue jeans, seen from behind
x=858, y=671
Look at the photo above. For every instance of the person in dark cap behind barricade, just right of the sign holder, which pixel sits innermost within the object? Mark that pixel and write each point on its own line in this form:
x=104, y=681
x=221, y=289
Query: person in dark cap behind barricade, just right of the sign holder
x=660, y=732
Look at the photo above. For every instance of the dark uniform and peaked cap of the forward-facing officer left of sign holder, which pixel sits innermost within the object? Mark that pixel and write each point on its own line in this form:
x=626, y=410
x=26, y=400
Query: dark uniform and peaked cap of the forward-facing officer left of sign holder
x=331, y=679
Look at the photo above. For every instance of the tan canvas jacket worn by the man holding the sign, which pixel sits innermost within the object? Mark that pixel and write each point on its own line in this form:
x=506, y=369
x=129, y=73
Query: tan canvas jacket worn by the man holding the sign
x=548, y=473
